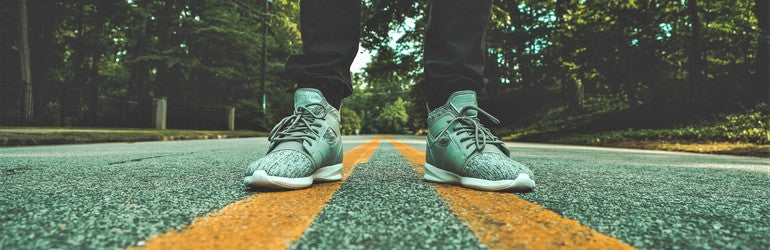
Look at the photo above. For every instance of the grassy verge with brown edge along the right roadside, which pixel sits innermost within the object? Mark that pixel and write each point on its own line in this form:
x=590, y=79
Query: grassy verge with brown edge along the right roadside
x=745, y=133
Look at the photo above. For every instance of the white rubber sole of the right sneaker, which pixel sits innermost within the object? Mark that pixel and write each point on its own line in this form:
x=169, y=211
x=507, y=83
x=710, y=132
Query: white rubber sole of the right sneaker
x=522, y=182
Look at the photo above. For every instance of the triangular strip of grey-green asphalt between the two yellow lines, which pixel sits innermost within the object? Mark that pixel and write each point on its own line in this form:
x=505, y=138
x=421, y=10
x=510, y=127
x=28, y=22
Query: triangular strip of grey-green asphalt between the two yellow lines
x=385, y=205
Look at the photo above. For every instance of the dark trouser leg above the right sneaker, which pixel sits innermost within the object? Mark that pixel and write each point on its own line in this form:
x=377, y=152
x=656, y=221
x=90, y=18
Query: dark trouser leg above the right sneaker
x=454, y=47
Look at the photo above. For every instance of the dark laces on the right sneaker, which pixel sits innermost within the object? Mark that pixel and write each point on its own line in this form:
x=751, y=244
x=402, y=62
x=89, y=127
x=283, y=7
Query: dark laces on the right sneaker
x=471, y=127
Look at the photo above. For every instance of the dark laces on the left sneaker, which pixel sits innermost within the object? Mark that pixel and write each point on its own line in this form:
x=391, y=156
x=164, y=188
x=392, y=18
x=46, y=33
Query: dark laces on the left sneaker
x=299, y=126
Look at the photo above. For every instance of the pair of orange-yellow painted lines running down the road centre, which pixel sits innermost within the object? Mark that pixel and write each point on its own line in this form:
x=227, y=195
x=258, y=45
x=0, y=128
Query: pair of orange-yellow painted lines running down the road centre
x=274, y=220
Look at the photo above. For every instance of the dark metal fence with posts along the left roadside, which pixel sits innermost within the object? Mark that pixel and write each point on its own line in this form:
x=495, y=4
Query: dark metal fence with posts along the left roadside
x=57, y=105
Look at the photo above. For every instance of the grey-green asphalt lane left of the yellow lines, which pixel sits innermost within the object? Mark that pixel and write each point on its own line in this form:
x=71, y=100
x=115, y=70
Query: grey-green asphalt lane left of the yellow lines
x=115, y=195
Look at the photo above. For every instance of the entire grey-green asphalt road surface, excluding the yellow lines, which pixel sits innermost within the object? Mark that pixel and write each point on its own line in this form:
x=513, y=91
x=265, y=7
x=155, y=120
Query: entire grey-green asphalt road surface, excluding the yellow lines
x=117, y=195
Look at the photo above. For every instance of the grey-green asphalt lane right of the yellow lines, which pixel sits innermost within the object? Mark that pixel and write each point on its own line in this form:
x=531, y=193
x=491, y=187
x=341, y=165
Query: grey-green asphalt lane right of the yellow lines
x=652, y=199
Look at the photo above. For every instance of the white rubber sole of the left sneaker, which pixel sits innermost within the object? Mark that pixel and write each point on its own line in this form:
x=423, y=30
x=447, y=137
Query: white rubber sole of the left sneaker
x=260, y=178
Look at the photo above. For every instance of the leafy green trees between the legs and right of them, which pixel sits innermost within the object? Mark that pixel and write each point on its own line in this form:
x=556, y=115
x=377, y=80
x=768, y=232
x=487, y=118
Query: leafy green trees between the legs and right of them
x=550, y=54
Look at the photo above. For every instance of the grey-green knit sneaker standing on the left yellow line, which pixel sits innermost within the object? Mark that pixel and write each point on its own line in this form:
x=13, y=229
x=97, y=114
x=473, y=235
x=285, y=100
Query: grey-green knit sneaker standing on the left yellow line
x=304, y=147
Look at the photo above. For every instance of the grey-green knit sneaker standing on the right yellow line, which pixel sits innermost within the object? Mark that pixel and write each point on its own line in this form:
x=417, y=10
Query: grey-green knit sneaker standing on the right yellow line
x=462, y=151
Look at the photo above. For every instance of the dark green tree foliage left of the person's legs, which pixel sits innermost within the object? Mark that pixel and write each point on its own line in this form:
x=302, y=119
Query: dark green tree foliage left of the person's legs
x=206, y=53
